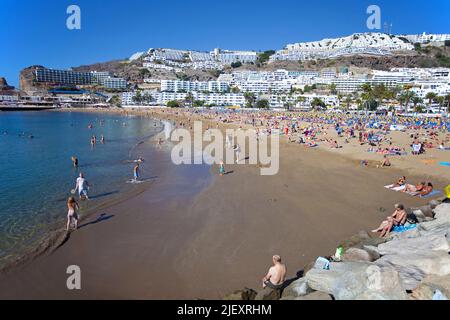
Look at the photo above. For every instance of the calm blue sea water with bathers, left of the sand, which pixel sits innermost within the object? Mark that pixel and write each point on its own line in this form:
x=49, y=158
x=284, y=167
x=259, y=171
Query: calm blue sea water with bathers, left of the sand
x=37, y=173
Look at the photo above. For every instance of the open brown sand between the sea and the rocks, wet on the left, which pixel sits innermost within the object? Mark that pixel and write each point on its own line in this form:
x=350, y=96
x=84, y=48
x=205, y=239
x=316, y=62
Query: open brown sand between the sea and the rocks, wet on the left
x=194, y=234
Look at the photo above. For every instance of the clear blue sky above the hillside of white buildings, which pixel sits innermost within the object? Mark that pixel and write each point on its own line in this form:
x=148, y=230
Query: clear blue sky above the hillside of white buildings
x=34, y=32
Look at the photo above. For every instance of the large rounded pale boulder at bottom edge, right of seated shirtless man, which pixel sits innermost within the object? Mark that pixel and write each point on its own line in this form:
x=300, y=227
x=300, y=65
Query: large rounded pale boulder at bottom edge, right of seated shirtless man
x=350, y=280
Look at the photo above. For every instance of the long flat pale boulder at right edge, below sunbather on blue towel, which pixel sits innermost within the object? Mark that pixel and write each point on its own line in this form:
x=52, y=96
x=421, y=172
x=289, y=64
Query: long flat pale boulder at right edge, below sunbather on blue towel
x=413, y=245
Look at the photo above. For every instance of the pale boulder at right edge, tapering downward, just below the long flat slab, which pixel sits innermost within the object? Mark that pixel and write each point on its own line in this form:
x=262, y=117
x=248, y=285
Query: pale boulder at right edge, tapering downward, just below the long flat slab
x=414, y=266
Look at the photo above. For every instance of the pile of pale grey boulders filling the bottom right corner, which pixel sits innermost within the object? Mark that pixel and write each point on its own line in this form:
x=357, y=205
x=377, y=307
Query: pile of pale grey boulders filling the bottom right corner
x=415, y=261
